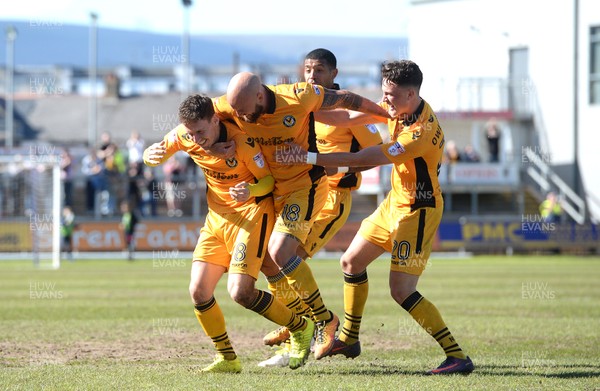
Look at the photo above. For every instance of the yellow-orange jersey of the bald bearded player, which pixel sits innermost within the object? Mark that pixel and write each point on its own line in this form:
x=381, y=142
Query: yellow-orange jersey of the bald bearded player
x=288, y=119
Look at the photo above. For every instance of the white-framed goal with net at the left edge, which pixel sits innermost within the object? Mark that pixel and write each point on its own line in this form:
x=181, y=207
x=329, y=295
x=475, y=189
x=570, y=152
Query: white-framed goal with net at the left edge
x=30, y=205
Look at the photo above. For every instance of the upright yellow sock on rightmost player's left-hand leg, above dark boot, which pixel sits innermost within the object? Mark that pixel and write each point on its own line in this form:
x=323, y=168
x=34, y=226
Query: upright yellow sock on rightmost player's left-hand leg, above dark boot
x=356, y=290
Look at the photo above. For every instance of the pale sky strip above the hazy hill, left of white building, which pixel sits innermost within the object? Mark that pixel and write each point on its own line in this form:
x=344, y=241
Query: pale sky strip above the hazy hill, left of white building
x=216, y=17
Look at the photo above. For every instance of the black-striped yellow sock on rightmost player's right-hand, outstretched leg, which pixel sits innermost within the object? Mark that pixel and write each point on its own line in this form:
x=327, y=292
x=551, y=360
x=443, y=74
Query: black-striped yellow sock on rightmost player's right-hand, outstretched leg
x=428, y=316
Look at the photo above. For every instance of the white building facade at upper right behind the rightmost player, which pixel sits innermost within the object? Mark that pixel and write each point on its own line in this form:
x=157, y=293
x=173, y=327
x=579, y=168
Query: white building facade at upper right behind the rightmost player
x=475, y=53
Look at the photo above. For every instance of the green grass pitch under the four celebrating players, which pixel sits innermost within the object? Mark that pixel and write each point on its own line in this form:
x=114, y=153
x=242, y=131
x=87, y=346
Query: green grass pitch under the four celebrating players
x=528, y=323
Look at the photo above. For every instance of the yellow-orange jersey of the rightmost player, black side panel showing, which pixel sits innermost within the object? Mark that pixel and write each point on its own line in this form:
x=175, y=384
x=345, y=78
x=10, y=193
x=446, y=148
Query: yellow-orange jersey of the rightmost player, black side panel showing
x=416, y=147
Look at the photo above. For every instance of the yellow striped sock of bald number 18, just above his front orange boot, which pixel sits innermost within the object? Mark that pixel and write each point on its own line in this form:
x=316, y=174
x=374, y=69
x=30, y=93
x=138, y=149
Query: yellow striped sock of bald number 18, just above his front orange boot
x=302, y=281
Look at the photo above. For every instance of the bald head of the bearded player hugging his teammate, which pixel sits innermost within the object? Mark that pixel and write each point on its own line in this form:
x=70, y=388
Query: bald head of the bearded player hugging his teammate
x=244, y=94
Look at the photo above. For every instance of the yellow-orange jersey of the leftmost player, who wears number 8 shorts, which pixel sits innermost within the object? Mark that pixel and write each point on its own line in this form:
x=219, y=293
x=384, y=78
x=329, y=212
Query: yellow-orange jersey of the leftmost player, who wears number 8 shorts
x=247, y=165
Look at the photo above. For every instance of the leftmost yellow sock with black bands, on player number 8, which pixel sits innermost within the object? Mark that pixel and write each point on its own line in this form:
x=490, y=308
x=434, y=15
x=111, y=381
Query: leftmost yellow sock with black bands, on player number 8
x=211, y=319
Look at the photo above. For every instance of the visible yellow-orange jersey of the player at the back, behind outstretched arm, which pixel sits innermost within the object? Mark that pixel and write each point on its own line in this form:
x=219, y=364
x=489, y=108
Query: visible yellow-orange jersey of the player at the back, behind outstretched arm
x=337, y=139
